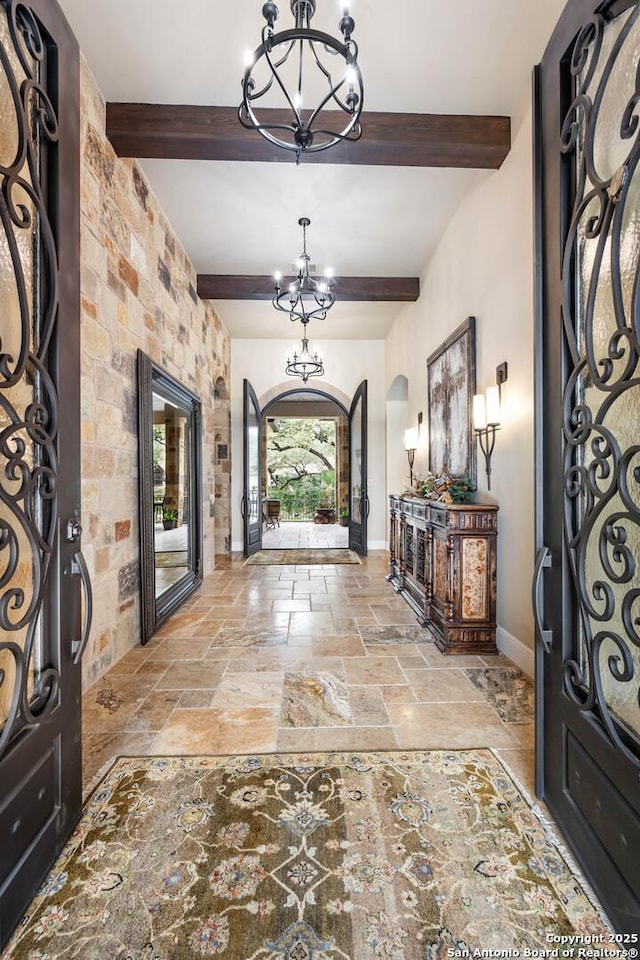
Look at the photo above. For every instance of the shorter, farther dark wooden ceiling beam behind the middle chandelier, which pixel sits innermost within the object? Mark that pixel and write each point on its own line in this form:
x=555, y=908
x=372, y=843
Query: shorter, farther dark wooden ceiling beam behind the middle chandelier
x=364, y=289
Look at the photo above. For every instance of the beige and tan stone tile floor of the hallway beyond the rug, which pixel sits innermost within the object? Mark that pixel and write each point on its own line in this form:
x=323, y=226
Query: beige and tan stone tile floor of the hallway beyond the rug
x=268, y=658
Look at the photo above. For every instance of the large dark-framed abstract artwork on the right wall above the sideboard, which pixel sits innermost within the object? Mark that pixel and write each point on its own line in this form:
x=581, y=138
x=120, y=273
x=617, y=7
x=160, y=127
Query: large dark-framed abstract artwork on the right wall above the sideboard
x=451, y=383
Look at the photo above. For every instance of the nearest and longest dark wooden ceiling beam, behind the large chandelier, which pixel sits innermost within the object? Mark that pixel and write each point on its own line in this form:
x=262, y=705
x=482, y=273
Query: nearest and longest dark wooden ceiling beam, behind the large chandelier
x=179, y=132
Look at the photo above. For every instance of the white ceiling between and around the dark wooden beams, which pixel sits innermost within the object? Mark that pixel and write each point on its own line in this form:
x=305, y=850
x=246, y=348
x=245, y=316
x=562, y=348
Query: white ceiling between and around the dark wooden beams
x=469, y=57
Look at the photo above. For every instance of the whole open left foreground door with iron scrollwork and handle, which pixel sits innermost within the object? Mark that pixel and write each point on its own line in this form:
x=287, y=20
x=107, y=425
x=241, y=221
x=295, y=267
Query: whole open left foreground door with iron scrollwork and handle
x=41, y=636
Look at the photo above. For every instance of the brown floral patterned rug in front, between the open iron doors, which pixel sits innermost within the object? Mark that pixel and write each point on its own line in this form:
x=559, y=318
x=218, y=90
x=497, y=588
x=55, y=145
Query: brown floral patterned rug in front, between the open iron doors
x=318, y=856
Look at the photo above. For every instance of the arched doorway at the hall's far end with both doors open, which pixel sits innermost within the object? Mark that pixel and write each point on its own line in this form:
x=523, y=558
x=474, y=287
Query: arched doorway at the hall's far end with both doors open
x=305, y=470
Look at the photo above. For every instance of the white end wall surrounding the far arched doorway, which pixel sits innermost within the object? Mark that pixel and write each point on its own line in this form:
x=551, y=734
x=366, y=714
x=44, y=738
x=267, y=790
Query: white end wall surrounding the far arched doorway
x=347, y=363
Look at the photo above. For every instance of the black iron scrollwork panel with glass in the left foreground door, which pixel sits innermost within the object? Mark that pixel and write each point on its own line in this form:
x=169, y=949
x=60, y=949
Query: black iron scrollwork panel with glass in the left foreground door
x=28, y=398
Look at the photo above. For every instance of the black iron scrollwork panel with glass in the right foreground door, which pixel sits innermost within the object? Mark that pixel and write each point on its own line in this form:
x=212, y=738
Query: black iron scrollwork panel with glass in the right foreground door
x=601, y=311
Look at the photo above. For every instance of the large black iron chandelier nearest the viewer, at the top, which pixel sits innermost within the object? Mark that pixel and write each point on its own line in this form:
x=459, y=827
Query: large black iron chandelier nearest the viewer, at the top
x=289, y=57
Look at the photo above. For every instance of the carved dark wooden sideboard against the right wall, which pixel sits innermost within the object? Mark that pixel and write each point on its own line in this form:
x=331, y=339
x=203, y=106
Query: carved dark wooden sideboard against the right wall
x=443, y=562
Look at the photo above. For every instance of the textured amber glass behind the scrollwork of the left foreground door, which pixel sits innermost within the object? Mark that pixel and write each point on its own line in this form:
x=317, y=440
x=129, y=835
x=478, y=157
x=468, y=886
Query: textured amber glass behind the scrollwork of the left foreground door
x=27, y=455
